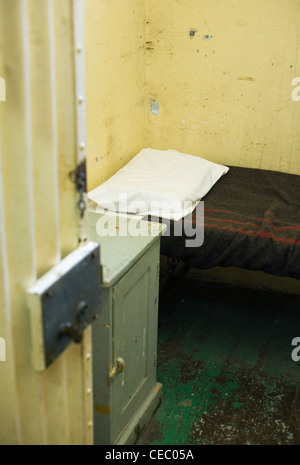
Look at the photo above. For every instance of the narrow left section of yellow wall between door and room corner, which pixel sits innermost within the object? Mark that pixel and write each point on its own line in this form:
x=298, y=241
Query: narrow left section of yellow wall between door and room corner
x=115, y=84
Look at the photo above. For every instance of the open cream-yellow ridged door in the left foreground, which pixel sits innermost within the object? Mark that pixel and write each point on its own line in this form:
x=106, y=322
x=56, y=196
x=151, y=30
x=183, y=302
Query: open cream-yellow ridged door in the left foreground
x=42, y=183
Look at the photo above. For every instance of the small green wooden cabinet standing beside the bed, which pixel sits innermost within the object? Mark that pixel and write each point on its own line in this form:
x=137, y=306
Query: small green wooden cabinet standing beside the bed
x=124, y=337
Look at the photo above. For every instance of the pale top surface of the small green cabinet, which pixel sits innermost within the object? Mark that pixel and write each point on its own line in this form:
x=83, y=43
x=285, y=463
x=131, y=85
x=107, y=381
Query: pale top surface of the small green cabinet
x=123, y=241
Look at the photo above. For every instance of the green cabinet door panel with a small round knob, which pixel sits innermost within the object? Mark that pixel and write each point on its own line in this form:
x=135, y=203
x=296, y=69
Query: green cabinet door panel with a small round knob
x=135, y=306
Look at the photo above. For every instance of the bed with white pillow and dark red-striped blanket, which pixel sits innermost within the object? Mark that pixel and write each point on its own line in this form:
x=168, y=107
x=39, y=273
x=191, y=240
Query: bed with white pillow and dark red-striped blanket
x=251, y=217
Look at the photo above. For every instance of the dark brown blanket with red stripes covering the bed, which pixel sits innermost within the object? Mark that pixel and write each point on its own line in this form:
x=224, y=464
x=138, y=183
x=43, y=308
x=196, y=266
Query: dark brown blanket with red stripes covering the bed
x=251, y=220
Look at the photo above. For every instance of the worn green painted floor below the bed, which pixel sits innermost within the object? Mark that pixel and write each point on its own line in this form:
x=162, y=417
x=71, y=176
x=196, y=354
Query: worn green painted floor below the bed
x=224, y=360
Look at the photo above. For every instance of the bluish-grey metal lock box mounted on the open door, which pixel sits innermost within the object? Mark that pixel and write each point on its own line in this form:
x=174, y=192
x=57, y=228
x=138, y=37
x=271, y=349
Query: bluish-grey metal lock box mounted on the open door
x=63, y=303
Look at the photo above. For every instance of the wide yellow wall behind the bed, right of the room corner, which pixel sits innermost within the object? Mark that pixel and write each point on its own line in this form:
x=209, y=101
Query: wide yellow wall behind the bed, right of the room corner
x=225, y=93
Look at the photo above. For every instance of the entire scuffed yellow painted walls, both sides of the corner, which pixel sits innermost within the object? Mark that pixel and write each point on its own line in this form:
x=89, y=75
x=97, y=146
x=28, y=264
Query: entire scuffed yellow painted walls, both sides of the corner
x=224, y=92
